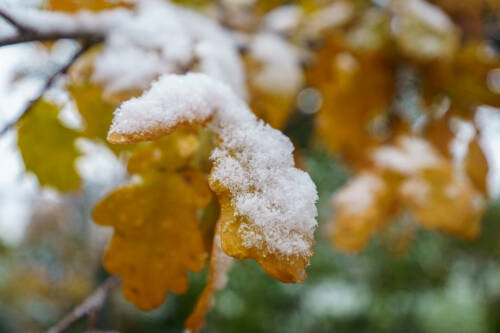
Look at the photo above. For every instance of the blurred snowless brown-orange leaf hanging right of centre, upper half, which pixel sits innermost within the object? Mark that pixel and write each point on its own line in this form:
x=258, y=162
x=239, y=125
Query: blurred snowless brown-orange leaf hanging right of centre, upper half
x=345, y=119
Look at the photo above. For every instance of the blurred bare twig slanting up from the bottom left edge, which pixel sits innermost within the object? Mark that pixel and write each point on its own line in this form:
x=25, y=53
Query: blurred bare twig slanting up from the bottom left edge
x=92, y=303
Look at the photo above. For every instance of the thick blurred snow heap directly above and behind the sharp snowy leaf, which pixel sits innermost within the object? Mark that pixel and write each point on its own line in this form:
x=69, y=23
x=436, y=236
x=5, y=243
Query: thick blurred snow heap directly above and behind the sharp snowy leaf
x=163, y=38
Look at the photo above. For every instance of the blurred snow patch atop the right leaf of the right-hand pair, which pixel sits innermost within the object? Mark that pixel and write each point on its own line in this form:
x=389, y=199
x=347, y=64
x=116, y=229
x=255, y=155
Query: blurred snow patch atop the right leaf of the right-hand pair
x=410, y=155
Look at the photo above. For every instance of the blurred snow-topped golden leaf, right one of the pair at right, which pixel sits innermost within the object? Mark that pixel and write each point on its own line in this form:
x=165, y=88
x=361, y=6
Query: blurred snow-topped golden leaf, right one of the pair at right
x=439, y=195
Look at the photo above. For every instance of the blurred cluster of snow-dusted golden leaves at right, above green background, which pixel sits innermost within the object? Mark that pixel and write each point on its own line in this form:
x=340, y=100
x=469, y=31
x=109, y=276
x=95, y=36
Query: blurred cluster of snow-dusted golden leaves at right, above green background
x=408, y=176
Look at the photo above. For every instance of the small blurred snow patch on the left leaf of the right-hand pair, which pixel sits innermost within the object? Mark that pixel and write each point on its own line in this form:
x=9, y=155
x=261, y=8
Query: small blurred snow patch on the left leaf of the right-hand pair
x=359, y=194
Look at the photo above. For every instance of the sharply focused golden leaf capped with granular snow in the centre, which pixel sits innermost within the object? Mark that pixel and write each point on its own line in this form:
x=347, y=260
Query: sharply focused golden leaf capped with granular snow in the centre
x=267, y=205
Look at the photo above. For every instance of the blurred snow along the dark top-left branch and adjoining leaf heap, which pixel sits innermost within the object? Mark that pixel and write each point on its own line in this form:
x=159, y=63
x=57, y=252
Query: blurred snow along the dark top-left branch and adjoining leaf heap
x=154, y=38
